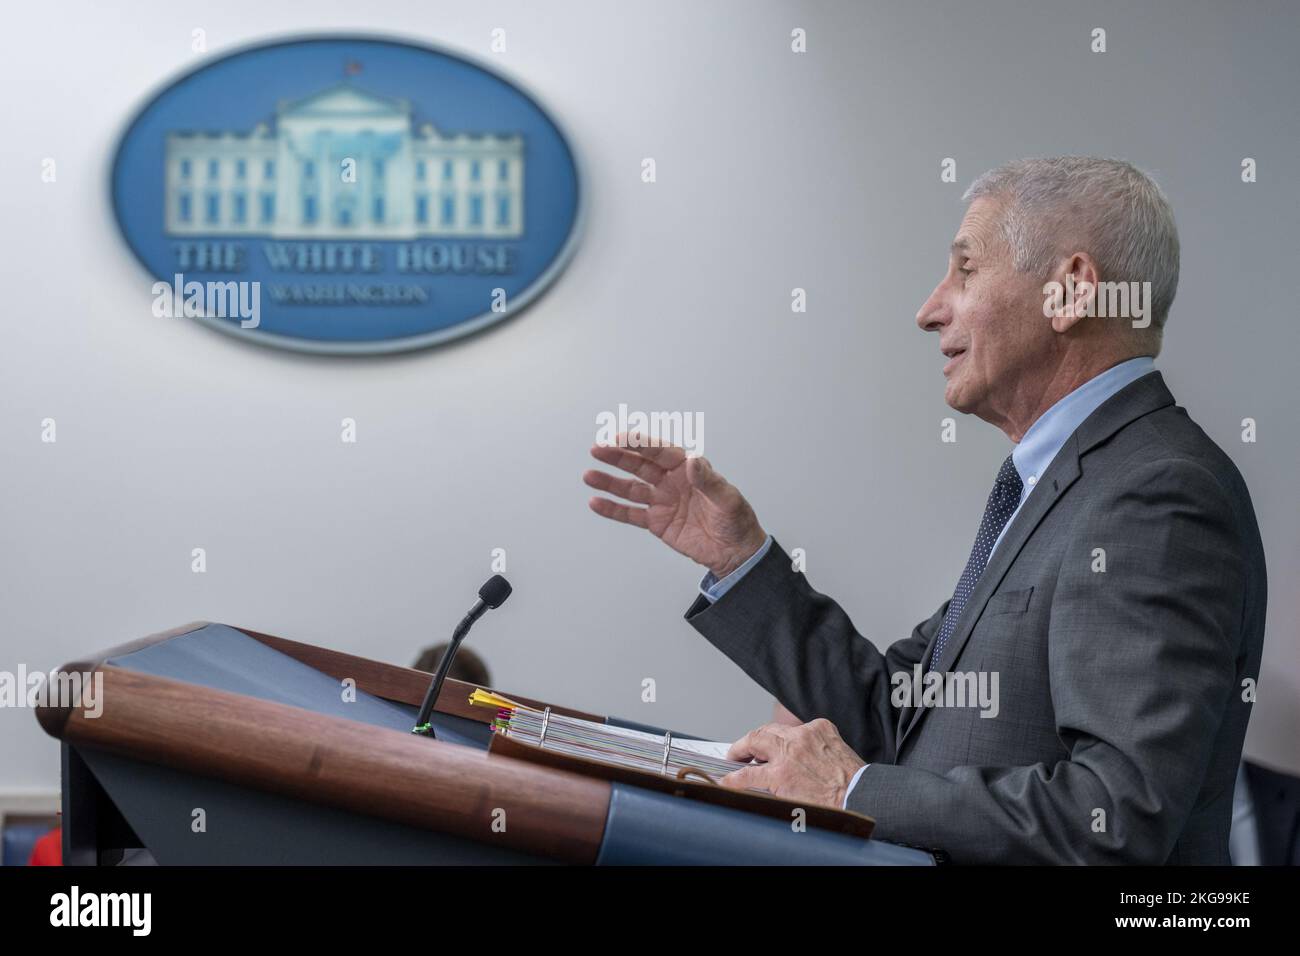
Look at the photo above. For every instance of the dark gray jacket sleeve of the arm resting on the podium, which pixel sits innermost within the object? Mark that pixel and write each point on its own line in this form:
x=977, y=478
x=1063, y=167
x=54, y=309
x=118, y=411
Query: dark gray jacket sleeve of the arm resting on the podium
x=1141, y=660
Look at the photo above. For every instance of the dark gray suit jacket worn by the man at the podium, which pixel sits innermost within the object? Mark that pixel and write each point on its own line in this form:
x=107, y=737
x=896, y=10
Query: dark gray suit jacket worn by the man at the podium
x=1121, y=691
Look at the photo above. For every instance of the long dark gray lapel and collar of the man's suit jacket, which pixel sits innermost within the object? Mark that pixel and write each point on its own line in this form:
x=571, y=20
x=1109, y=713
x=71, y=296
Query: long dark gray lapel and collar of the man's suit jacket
x=1132, y=403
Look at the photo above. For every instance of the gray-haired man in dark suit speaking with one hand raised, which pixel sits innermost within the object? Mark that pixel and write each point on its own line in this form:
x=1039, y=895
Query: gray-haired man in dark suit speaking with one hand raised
x=1116, y=586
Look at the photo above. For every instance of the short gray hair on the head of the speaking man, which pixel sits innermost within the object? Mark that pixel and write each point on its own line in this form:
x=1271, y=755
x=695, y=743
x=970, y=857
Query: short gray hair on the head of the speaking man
x=1115, y=210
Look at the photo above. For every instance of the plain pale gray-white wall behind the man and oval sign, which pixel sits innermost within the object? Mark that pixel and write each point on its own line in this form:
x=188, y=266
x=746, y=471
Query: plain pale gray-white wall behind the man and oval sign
x=774, y=171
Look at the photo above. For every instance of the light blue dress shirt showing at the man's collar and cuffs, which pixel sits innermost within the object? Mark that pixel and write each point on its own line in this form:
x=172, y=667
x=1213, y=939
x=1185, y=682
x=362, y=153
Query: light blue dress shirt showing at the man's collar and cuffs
x=1032, y=457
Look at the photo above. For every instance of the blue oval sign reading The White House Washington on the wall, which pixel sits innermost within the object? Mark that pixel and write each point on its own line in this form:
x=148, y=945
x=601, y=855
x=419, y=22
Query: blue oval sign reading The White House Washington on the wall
x=346, y=194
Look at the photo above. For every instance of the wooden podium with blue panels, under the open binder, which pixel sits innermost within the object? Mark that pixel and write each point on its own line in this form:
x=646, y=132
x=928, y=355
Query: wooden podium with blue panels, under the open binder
x=216, y=745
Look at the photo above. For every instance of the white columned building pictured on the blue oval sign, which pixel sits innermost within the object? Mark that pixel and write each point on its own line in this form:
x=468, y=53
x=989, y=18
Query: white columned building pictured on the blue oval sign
x=296, y=180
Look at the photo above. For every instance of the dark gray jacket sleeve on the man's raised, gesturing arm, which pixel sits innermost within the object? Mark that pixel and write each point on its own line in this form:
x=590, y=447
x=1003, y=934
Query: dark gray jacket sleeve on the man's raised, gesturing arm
x=804, y=650
